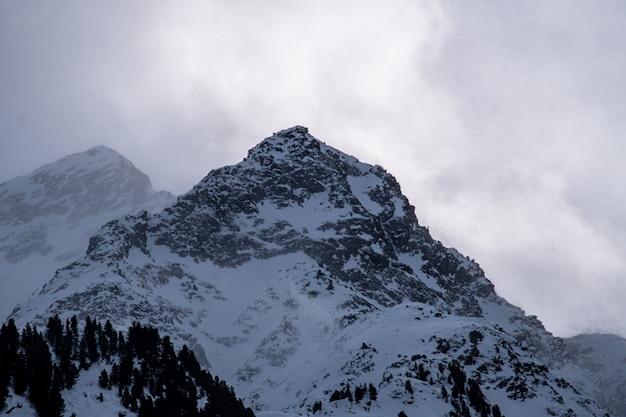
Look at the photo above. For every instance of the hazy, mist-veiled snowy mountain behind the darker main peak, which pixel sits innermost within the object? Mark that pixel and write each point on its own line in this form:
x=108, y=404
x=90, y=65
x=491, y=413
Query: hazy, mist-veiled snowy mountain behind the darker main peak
x=47, y=217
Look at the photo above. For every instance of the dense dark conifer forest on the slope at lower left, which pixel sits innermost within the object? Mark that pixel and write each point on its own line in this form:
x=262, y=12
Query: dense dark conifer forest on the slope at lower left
x=151, y=378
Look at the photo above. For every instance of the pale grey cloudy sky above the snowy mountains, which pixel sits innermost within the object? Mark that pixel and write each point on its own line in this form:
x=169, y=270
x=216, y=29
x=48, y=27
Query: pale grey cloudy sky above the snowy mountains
x=503, y=121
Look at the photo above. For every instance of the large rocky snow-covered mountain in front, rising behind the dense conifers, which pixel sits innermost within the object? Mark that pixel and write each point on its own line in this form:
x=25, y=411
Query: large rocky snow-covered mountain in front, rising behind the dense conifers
x=303, y=277
